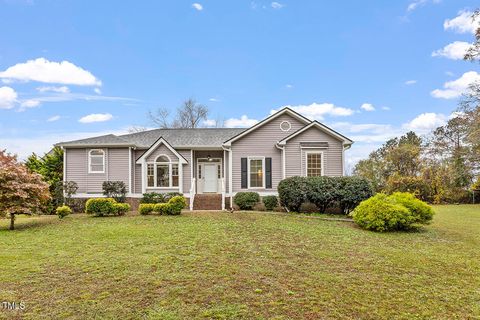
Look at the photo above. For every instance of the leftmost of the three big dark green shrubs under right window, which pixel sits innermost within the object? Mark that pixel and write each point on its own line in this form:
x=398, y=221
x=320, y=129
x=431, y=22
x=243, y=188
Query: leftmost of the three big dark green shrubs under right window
x=292, y=192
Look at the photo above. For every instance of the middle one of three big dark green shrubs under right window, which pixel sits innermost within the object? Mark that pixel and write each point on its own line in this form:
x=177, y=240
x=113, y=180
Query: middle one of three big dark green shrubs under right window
x=322, y=191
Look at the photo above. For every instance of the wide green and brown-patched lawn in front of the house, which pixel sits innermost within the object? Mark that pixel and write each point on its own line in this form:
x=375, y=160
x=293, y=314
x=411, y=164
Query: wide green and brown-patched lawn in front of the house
x=241, y=265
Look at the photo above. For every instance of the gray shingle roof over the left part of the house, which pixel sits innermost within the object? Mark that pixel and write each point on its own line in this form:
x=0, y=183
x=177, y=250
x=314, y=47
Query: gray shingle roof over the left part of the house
x=176, y=137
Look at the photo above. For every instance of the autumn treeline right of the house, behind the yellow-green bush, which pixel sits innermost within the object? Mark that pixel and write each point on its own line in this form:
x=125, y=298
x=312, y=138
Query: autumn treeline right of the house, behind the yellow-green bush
x=442, y=167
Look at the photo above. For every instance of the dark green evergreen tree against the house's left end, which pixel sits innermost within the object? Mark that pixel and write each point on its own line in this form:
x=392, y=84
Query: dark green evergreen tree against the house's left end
x=50, y=167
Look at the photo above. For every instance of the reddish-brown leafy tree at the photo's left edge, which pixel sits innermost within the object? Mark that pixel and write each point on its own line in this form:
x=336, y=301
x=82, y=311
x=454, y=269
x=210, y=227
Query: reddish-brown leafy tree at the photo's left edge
x=21, y=191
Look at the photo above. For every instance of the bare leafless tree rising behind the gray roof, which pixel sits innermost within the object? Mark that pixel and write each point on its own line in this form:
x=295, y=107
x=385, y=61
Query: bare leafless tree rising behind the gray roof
x=189, y=115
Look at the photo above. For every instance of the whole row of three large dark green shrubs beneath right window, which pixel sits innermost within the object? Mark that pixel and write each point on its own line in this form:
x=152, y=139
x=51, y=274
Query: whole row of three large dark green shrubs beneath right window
x=324, y=192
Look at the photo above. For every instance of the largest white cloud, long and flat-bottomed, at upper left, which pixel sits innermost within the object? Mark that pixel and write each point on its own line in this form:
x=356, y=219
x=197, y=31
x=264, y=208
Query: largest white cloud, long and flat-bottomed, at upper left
x=42, y=70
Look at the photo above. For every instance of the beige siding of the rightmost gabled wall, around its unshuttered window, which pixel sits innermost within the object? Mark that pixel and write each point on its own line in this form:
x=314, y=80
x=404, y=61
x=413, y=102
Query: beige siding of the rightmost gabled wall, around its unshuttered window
x=296, y=159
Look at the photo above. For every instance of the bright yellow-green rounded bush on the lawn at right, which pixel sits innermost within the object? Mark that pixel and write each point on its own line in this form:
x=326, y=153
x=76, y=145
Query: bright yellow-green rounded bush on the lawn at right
x=400, y=211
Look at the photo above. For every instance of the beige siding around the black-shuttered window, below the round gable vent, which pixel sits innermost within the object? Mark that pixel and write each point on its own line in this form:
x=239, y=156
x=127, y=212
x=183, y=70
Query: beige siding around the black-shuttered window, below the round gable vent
x=261, y=142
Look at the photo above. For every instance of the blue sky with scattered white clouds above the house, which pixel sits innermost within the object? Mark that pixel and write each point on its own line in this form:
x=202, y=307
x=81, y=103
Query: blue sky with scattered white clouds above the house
x=72, y=69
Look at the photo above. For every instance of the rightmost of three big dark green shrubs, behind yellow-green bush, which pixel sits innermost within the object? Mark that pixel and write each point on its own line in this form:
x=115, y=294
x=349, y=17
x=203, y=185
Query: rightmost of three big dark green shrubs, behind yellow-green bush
x=351, y=191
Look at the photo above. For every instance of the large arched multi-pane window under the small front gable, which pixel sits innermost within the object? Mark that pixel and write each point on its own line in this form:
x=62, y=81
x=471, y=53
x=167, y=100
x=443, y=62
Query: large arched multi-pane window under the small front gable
x=162, y=173
